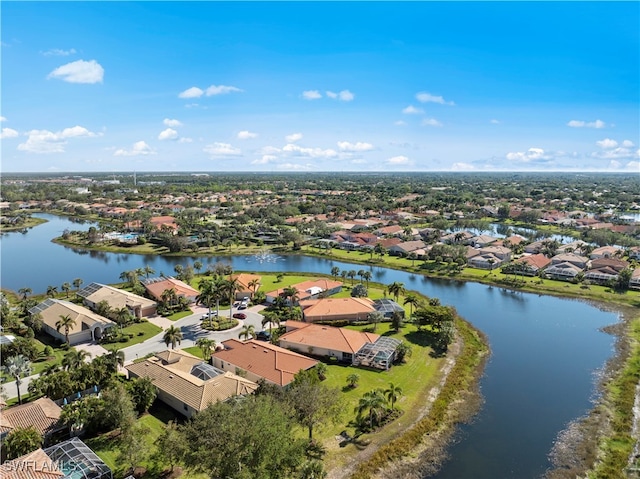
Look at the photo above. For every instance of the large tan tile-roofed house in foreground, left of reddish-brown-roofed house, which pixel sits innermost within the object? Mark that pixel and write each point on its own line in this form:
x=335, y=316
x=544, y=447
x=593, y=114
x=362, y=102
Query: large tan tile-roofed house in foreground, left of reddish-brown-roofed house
x=187, y=384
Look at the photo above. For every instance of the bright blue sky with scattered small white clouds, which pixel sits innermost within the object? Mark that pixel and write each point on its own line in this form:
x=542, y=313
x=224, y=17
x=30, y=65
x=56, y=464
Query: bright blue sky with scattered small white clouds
x=320, y=86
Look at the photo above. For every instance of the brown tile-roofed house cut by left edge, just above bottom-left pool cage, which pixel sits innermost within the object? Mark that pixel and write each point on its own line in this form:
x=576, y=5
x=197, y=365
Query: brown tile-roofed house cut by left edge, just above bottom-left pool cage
x=43, y=414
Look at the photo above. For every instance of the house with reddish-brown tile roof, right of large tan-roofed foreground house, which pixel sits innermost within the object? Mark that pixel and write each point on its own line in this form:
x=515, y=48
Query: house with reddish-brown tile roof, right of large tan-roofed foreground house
x=261, y=360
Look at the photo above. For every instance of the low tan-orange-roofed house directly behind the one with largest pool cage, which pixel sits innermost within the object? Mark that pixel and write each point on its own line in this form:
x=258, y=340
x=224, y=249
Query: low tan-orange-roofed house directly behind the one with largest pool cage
x=333, y=309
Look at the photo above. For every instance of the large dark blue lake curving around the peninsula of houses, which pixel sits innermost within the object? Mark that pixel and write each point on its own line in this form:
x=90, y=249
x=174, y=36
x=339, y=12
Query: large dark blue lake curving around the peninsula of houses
x=546, y=351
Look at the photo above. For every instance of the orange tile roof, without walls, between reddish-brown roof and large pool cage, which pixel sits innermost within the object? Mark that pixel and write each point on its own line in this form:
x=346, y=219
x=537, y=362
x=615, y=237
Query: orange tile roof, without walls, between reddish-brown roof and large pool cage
x=328, y=337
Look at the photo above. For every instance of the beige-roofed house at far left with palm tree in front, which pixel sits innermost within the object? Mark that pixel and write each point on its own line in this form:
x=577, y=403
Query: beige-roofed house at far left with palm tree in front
x=88, y=326
